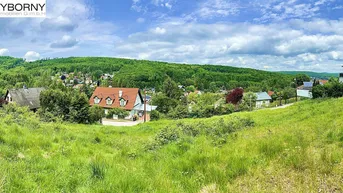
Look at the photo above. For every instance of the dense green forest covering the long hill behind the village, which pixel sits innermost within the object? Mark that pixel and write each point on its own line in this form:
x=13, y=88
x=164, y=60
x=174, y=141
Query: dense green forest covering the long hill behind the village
x=16, y=72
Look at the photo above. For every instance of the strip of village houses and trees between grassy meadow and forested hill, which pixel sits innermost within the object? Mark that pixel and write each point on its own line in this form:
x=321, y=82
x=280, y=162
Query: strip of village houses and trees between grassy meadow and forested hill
x=145, y=104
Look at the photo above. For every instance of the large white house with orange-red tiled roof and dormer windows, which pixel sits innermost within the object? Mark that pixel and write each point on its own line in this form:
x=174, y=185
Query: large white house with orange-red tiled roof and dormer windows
x=129, y=99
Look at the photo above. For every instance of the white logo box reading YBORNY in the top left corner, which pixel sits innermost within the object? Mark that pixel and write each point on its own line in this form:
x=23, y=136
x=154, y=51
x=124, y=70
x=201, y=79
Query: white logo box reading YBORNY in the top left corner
x=22, y=8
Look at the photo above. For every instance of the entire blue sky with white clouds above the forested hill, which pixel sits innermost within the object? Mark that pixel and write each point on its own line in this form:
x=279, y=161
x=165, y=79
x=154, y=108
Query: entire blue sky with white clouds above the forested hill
x=273, y=35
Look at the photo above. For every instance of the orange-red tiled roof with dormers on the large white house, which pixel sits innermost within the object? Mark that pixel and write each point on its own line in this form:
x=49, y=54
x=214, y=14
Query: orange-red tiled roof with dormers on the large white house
x=129, y=94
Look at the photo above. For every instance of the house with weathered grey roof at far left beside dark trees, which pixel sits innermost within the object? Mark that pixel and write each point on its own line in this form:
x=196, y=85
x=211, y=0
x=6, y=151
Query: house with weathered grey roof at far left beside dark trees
x=24, y=97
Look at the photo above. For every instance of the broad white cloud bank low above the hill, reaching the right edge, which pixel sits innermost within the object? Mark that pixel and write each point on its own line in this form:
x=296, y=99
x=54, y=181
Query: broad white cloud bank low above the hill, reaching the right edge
x=275, y=46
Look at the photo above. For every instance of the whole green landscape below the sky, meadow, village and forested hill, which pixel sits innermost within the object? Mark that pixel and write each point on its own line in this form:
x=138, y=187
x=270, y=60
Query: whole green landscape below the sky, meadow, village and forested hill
x=78, y=129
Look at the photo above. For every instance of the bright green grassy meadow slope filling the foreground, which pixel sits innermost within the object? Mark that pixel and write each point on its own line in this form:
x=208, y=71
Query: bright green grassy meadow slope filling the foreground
x=296, y=149
